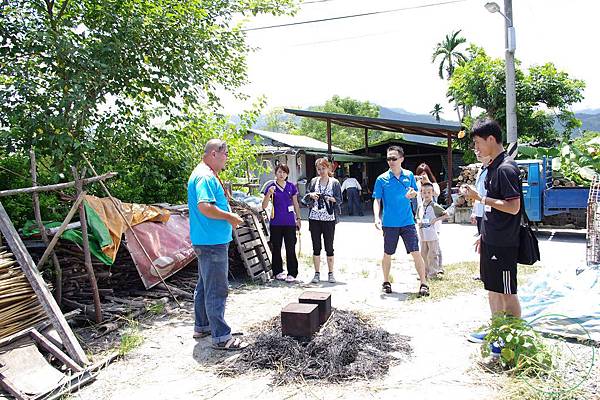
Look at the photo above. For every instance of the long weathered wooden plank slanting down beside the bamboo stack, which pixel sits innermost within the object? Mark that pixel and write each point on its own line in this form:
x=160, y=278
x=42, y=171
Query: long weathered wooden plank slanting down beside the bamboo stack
x=41, y=289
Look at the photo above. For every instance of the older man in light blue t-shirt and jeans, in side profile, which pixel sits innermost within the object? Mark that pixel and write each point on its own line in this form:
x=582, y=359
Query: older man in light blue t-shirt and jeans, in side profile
x=211, y=223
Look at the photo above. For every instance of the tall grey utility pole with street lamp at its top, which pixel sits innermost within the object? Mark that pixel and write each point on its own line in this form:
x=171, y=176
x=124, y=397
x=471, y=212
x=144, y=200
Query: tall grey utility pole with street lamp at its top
x=511, y=95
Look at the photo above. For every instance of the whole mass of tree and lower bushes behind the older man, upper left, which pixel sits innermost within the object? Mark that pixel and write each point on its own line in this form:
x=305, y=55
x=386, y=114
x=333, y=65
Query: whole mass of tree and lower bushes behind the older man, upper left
x=131, y=83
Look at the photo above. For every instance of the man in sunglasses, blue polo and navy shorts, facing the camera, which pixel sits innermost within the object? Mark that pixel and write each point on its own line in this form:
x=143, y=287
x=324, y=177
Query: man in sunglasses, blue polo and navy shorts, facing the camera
x=395, y=188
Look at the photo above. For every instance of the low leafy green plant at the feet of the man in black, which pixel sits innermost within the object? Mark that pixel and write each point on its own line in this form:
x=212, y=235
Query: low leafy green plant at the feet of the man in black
x=523, y=350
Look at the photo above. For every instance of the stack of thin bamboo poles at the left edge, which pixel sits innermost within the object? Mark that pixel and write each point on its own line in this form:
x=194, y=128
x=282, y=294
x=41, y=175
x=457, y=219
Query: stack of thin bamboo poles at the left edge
x=19, y=306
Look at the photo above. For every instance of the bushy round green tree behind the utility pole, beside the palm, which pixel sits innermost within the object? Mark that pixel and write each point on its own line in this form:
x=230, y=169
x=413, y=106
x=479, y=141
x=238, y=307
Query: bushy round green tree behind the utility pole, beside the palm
x=542, y=92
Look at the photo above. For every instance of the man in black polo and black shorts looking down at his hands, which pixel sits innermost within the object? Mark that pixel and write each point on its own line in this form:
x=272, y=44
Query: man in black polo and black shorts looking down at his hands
x=499, y=239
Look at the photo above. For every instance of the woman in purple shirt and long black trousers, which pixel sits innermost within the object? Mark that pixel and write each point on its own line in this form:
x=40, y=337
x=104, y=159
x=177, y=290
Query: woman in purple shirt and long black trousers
x=285, y=219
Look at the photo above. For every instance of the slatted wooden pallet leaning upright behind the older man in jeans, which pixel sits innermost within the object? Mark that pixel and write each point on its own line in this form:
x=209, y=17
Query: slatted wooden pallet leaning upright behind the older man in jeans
x=252, y=241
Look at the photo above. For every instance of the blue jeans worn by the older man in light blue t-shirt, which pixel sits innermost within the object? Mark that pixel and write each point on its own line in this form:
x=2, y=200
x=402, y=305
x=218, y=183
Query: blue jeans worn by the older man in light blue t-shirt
x=211, y=291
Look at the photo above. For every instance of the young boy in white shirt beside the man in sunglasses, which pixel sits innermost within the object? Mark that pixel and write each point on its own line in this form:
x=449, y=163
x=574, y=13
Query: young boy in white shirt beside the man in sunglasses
x=429, y=219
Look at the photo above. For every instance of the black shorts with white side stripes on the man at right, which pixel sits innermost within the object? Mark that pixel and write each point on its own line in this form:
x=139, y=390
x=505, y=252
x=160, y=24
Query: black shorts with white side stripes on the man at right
x=498, y=268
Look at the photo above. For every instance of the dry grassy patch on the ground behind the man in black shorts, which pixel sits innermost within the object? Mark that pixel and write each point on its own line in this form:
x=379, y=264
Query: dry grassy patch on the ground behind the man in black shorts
x=458, y=278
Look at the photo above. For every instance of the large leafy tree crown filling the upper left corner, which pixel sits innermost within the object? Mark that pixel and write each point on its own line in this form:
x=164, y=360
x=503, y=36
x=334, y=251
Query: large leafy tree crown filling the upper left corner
x=75, y=73
